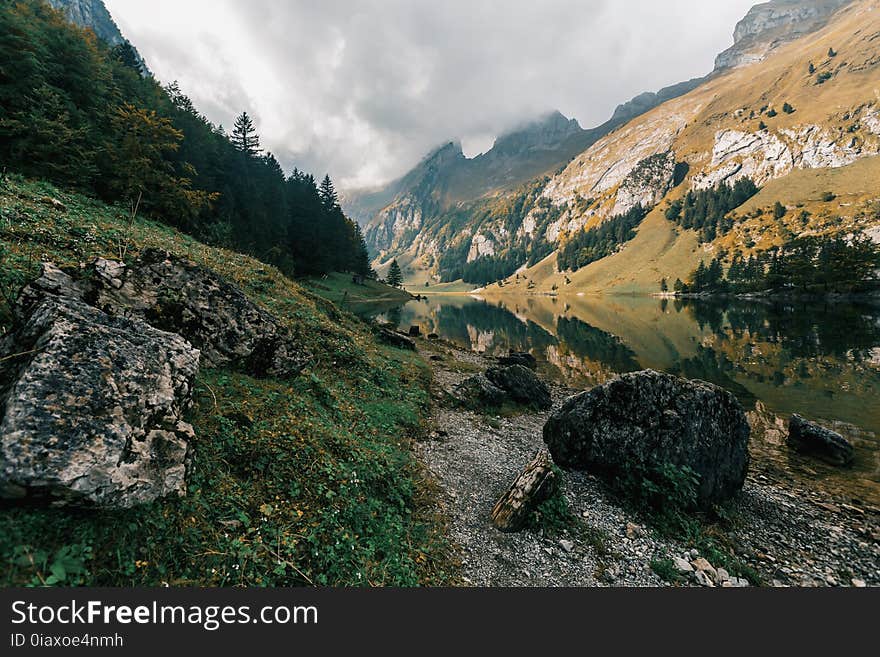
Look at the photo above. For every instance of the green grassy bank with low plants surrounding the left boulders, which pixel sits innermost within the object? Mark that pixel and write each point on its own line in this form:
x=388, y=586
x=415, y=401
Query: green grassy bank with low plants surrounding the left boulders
x=300, y=482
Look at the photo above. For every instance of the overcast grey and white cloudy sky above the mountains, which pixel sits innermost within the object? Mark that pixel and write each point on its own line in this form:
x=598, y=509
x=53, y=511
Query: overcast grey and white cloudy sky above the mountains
x=363, y=89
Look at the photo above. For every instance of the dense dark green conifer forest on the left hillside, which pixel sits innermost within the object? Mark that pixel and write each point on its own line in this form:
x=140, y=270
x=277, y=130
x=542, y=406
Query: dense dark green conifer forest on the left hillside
x=81, y=114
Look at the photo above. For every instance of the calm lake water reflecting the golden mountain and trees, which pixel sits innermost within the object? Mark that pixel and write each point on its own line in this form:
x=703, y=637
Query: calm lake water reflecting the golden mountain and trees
x=819, y=360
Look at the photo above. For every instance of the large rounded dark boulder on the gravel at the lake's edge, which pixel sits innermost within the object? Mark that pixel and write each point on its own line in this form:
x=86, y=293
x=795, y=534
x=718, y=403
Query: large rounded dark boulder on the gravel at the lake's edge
x=644, y=421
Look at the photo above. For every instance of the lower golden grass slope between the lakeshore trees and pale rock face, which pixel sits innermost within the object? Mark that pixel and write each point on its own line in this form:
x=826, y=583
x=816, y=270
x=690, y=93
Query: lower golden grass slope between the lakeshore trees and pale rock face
x=662, y=249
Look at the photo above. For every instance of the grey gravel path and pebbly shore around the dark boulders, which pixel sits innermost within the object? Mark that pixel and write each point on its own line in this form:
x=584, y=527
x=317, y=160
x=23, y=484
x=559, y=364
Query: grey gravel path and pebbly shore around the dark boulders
x=791, y=535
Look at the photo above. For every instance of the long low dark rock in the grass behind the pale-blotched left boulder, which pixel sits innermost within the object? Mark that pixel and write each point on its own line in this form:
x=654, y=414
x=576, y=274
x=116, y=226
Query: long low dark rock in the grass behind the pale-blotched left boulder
x=179, y=296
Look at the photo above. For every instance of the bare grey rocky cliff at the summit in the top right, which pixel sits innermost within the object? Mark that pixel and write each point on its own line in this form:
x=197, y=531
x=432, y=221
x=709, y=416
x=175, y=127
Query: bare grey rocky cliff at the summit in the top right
x=772, y=24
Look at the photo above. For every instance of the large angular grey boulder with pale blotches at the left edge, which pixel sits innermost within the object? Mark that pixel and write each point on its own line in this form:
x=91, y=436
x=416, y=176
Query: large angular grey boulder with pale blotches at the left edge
x=91, y=406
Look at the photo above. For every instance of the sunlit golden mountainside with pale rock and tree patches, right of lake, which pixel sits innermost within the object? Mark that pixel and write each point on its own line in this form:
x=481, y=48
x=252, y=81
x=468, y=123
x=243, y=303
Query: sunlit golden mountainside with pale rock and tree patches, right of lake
x=802, y=124
